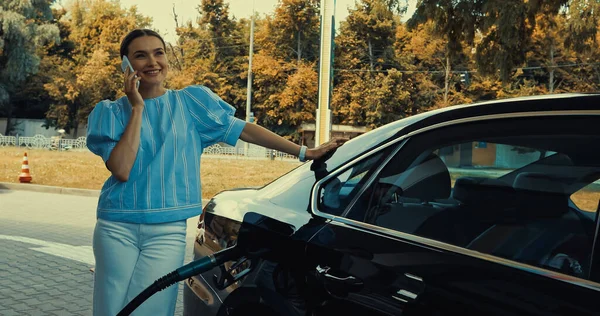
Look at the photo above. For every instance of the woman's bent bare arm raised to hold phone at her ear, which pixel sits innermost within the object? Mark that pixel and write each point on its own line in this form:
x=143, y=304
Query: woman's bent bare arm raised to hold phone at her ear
x=123, y=155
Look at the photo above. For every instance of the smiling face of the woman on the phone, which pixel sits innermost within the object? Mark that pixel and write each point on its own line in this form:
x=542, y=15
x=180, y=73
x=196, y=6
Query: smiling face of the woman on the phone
x=147, y=55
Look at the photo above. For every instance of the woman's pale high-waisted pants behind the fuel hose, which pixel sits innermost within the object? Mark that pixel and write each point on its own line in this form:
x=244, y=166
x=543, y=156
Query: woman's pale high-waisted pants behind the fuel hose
x=129, y=258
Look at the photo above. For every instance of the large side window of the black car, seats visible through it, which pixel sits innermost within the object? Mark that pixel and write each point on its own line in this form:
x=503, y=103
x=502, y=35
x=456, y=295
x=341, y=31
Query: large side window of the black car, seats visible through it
x=516, y=197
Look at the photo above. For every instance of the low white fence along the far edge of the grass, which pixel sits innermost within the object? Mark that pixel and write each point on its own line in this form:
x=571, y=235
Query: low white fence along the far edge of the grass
x=79, y=144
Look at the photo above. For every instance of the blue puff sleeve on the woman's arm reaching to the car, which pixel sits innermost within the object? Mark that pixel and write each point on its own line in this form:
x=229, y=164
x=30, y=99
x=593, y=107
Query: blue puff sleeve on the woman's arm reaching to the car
x=212, y=117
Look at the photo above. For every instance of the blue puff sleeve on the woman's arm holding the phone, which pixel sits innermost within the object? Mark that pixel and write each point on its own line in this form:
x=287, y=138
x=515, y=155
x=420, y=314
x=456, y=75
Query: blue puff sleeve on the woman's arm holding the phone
x=105, y=128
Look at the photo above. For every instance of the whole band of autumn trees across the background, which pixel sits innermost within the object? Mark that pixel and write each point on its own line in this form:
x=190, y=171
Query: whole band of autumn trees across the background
x=387, y=65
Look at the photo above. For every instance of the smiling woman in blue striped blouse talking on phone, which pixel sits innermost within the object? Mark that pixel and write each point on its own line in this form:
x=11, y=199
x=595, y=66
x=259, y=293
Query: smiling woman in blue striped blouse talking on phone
x=151, y=141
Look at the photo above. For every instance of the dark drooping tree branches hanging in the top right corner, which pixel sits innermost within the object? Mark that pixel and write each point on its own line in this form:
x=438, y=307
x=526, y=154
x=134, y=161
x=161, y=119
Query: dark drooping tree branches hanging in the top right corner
x=507, y=27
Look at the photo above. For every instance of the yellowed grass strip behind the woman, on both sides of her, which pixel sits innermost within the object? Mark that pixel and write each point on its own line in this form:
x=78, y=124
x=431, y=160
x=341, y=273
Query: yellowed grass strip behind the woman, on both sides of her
x=85, y=170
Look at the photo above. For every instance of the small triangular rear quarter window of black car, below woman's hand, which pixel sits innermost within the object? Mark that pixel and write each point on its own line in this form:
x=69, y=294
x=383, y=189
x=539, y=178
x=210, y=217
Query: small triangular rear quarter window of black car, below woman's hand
x=336, y=193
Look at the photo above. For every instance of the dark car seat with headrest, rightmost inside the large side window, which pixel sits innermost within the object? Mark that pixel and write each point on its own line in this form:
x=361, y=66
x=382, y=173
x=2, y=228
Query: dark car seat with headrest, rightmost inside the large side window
x=540, y=223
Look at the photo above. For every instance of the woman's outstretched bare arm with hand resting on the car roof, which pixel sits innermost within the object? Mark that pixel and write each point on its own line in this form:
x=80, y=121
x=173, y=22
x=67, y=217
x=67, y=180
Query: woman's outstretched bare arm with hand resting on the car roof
x=261, y=136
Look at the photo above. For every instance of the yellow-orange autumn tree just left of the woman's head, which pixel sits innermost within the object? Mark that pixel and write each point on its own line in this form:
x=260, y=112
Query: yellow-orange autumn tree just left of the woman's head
x=90, y=71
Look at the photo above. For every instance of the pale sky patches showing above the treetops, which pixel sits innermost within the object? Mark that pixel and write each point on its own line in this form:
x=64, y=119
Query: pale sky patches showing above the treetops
x=161, y=11
